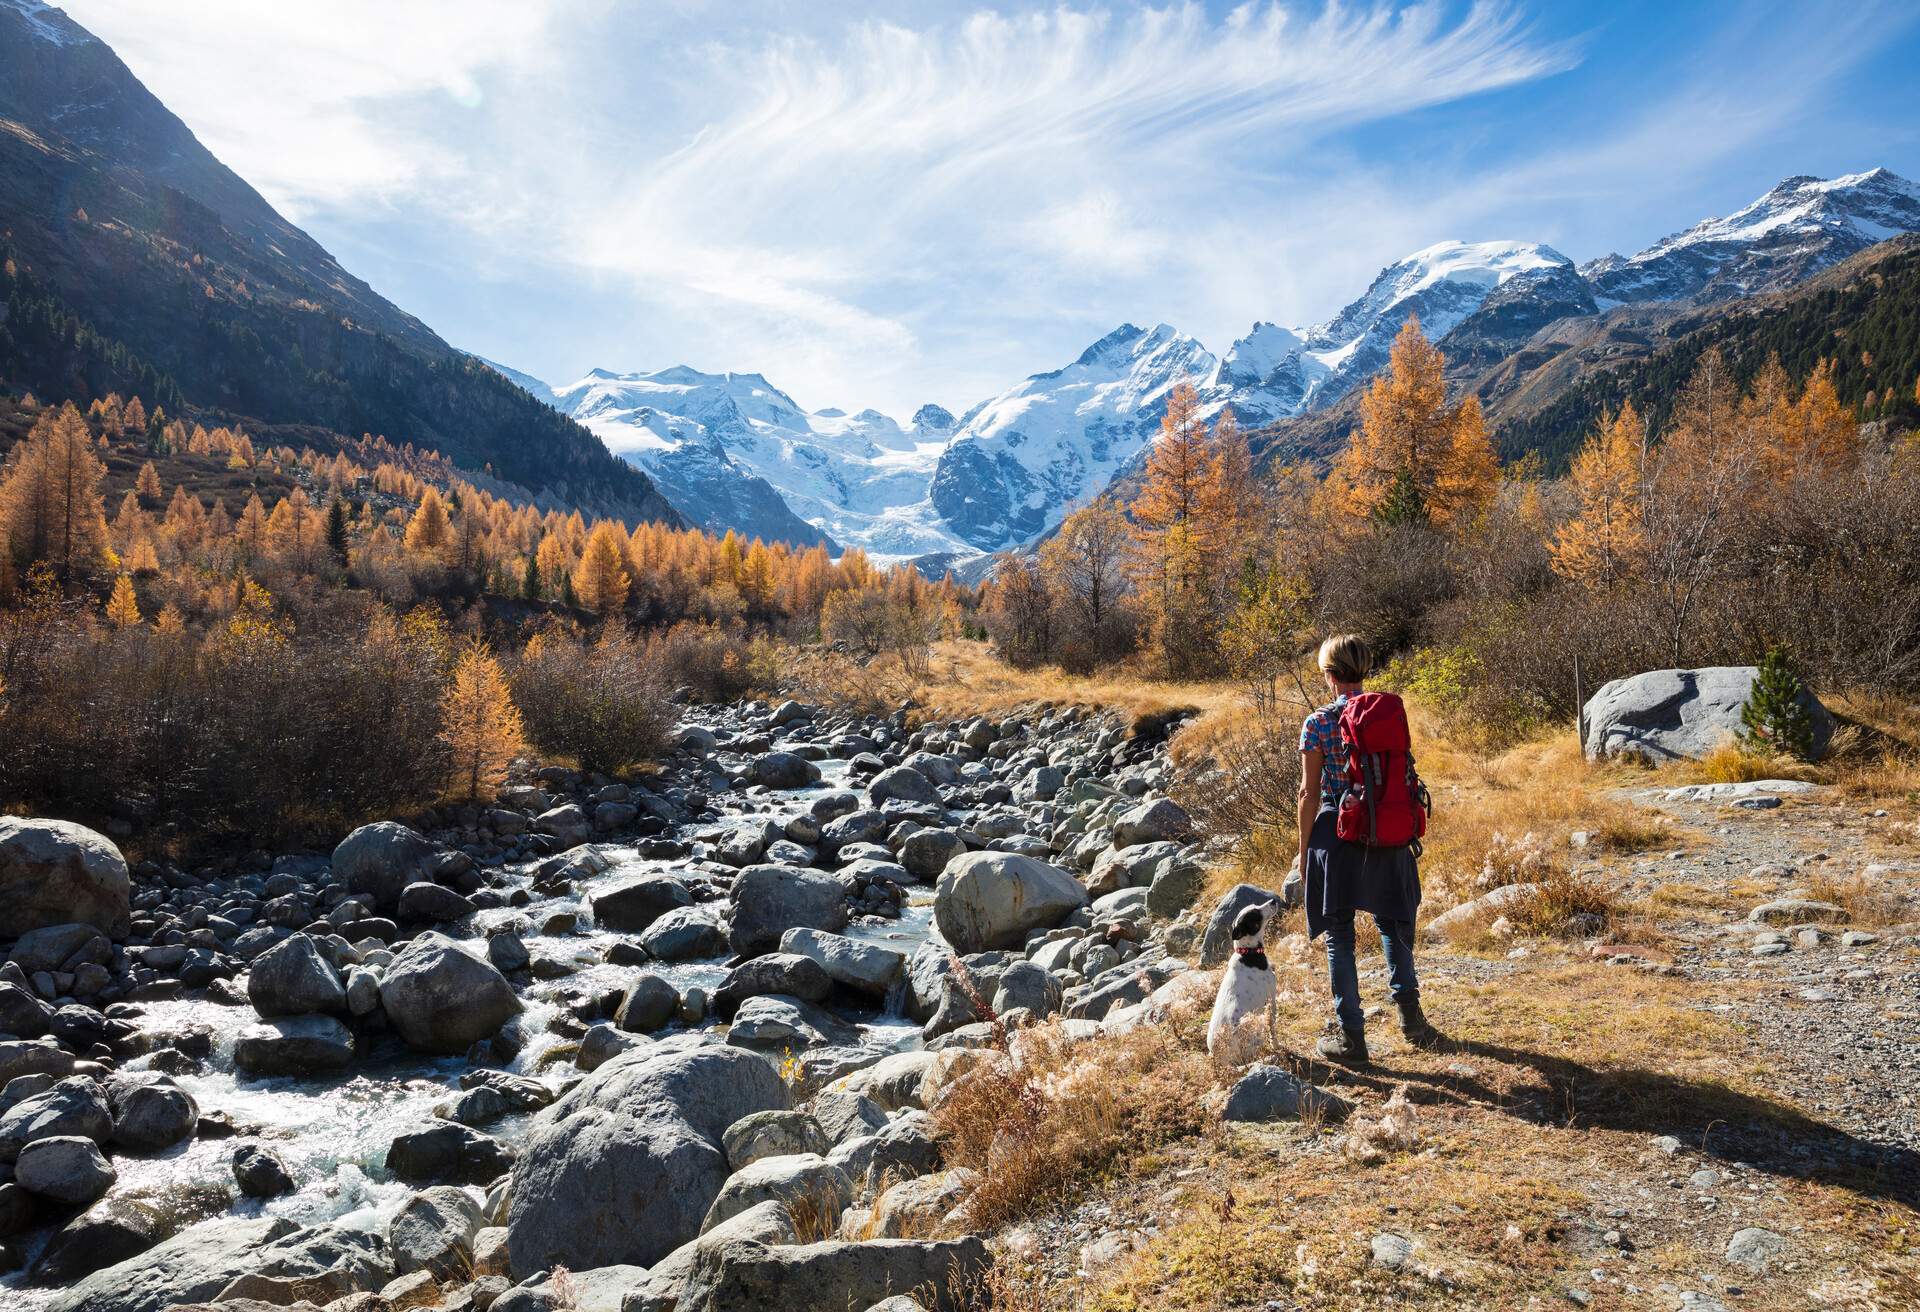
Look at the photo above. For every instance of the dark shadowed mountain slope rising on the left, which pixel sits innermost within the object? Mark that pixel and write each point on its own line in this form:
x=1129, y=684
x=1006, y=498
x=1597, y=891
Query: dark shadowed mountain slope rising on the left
x=114, y=207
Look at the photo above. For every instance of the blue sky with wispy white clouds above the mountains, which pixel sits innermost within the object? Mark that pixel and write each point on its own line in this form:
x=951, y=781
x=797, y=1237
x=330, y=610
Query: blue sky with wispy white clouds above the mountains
x=888, y=205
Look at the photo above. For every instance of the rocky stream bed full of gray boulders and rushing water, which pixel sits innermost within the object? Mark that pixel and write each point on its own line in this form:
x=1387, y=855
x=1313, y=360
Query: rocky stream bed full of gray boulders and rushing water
x=604, y=1044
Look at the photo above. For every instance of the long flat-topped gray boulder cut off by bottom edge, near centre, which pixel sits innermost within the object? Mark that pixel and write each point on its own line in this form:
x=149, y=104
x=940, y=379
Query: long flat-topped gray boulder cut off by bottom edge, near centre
x=836, y=1276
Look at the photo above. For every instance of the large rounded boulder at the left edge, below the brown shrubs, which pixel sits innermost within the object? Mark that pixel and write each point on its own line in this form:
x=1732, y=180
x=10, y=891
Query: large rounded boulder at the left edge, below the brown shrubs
x=60, y=873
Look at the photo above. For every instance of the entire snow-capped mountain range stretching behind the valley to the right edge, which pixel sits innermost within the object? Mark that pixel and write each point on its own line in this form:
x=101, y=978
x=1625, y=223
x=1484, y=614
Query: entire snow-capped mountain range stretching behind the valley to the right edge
x=736, y=452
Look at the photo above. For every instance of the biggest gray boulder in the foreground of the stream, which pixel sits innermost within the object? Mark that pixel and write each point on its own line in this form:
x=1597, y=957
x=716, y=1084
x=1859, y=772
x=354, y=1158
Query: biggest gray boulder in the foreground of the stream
x=625, y=1167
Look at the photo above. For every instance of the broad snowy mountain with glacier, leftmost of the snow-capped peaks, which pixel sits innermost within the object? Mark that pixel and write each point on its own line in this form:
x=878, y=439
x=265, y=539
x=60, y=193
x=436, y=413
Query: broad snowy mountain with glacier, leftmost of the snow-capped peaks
x=736, y=452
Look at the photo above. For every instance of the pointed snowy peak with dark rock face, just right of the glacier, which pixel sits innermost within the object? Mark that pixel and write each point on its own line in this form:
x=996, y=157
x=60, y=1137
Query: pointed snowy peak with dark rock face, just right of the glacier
x=1024, y=460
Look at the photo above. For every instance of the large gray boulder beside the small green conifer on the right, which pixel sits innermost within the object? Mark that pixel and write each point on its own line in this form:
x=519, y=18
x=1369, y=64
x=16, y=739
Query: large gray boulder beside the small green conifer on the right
x=1679, y=716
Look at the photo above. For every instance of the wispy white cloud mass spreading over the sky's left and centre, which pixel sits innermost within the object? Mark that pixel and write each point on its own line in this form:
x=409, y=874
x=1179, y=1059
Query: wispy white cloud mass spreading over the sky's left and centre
x=869, y=214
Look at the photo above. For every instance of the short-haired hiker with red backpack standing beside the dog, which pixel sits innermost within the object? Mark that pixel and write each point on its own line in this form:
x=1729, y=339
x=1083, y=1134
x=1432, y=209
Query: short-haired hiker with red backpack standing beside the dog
x=1362, y=815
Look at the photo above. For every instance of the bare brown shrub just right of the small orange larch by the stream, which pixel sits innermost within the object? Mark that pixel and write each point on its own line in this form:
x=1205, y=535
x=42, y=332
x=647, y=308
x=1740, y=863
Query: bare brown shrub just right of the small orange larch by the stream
x=598, y=702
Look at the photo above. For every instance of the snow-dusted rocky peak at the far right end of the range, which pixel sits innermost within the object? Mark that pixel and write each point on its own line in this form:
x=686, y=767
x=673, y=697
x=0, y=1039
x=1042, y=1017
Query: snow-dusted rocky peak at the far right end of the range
x=1794, y=231
